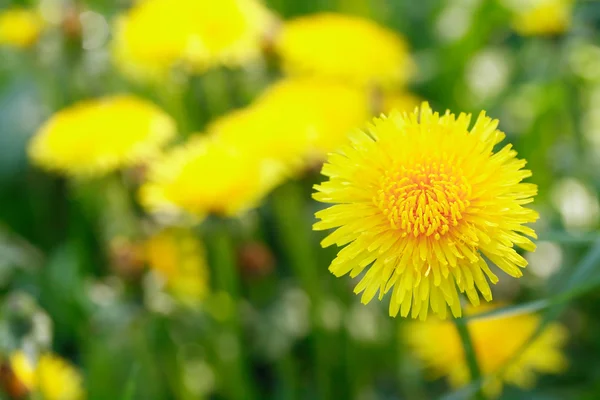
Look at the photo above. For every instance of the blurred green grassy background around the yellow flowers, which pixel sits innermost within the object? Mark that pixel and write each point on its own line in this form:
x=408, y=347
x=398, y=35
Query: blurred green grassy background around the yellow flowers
x=284, y=330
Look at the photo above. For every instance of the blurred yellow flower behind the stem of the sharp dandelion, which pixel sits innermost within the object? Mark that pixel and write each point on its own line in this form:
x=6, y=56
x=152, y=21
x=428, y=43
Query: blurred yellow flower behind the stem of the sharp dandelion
x=497, y=341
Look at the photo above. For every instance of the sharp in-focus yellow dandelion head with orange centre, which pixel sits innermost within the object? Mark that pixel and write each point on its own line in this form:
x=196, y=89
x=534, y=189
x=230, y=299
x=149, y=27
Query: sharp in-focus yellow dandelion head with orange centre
x=419, y=200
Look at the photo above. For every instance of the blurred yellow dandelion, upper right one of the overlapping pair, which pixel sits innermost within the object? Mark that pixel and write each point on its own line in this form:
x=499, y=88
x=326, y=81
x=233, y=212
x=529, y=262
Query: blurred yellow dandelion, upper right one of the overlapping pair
x=295, y=120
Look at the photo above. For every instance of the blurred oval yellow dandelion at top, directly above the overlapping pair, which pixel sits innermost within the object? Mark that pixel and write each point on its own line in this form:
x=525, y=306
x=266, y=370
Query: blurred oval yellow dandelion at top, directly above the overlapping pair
x=343, y=47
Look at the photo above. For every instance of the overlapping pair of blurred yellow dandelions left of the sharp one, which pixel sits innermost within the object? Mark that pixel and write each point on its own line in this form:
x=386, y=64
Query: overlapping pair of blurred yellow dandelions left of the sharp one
x=245, y=154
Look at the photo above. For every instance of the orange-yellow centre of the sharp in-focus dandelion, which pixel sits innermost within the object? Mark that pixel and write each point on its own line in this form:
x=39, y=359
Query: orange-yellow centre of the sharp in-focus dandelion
x=423, y=199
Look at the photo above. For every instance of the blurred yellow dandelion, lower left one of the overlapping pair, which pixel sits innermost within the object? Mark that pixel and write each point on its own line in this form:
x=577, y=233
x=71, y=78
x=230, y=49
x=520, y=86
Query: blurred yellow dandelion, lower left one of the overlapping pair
x=208, y=176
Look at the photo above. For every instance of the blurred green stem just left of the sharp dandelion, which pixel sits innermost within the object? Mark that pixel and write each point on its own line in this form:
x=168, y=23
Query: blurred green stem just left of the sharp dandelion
x=294, y=231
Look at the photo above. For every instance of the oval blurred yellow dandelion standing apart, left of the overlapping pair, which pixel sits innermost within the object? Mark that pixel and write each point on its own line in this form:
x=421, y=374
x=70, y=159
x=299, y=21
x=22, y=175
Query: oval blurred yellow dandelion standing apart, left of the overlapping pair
x=95, y=137
